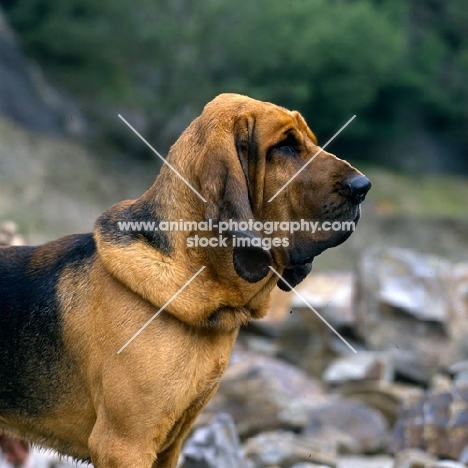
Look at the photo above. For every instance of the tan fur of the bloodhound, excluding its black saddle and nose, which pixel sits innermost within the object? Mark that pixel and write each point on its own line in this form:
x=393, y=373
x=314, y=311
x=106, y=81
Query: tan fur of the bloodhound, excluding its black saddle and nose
x=134, y=409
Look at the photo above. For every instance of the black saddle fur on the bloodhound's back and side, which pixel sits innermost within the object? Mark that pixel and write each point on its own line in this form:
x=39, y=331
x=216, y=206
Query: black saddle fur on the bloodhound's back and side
x=31, y=346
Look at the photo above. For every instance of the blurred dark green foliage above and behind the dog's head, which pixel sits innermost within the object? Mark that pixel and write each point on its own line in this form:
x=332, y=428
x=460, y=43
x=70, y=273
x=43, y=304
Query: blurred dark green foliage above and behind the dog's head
x=398, y=65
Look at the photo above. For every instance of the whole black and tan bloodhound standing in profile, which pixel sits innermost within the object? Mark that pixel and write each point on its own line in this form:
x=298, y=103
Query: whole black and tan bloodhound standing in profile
x=69, y=307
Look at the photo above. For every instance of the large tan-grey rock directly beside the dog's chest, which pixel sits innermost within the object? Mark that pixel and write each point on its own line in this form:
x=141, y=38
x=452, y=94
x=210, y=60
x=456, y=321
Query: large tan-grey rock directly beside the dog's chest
x=263, y=393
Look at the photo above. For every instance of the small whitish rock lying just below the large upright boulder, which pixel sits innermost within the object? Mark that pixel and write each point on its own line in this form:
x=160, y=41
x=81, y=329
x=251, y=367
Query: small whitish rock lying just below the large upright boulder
x=359, y=367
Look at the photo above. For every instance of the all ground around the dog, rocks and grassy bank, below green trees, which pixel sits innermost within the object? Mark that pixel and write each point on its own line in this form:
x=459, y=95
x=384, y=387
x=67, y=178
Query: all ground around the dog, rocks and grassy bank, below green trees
x=295, y=395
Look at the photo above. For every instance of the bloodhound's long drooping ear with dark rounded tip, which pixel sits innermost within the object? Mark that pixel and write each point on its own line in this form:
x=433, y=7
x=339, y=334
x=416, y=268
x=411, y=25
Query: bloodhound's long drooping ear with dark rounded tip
x=227, y=188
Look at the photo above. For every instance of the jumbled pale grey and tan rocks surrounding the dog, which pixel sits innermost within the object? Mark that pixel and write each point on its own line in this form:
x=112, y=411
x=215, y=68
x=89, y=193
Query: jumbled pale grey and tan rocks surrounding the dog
x=295, y=395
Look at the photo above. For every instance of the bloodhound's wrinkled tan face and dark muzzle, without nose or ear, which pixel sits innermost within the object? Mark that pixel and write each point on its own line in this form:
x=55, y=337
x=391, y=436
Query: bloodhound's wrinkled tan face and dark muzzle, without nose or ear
x=317, y=194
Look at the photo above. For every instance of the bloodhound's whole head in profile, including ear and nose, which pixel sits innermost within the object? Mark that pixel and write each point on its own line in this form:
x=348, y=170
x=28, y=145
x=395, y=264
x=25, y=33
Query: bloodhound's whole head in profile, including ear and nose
x=261, y=162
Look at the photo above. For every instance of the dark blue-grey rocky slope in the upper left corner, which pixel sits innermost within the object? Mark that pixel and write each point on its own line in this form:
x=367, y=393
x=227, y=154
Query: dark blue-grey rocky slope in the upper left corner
x=27, y=98
